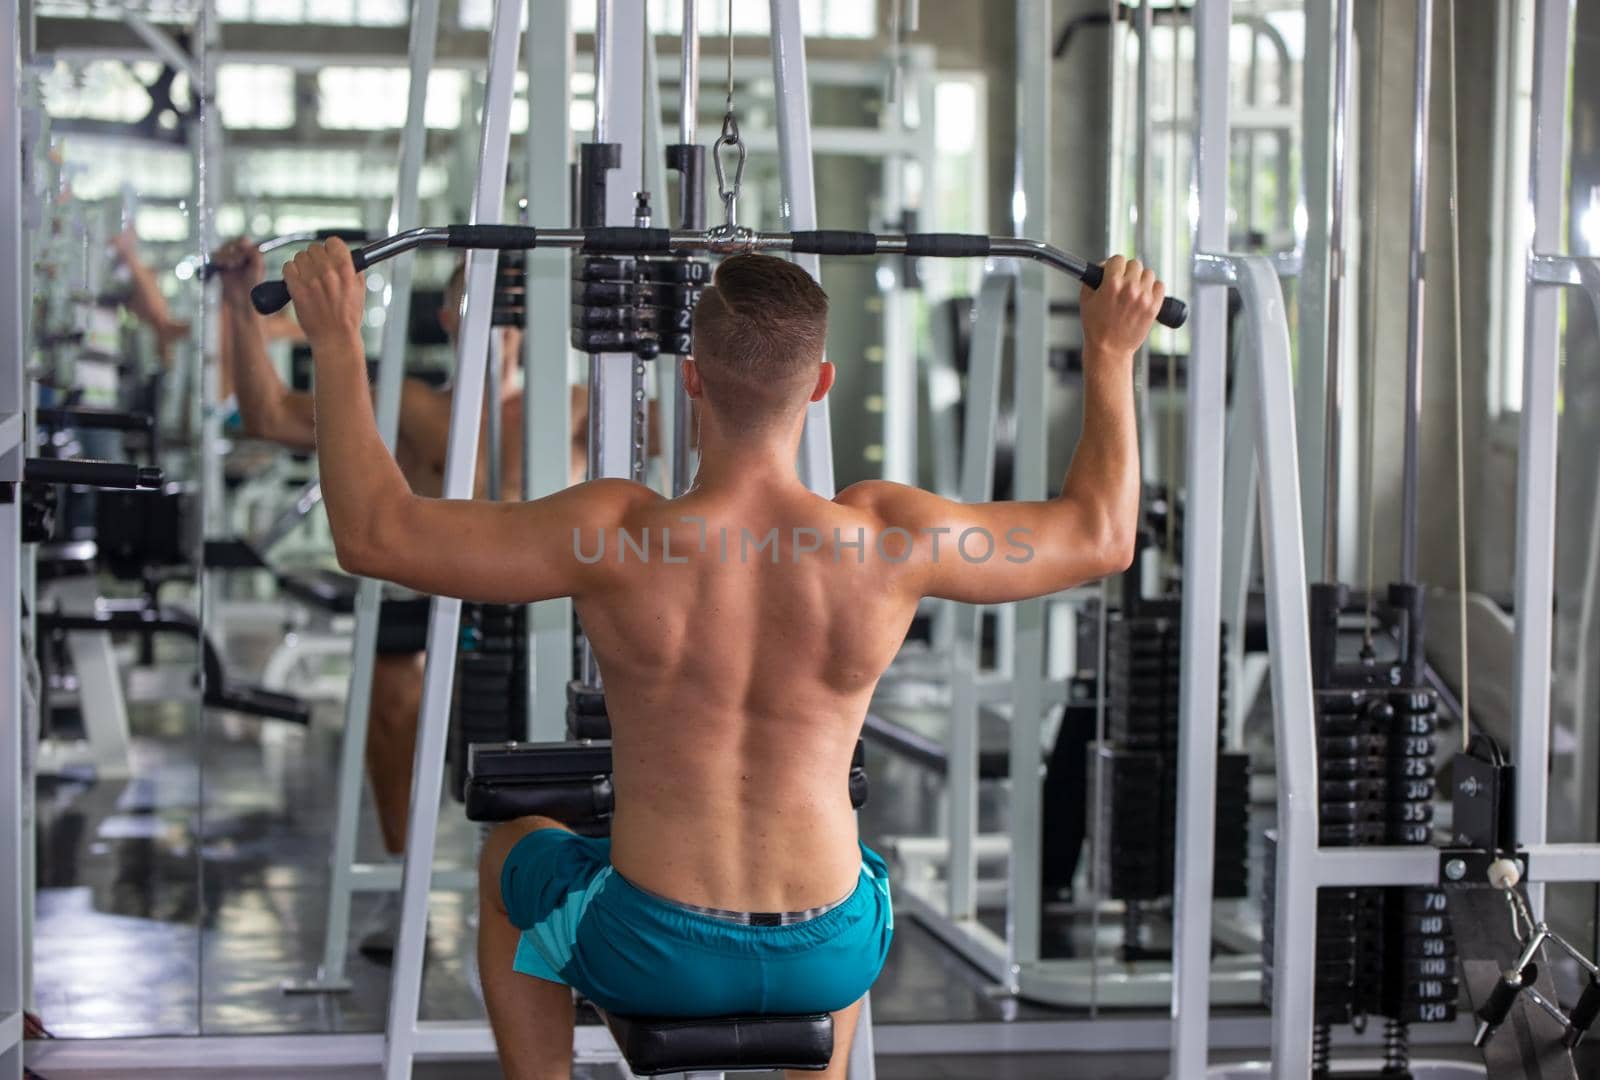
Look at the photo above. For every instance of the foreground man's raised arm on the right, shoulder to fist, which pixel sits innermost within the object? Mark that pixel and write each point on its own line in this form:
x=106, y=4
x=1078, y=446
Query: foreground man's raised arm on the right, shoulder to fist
x=996, y=553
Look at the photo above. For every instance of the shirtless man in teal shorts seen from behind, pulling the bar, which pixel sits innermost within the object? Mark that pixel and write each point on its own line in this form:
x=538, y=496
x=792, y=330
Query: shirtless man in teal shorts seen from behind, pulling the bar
x=740, y=655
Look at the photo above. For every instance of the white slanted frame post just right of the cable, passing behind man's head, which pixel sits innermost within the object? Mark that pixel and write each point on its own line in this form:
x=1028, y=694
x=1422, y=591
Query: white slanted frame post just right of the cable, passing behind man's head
x=799, y=206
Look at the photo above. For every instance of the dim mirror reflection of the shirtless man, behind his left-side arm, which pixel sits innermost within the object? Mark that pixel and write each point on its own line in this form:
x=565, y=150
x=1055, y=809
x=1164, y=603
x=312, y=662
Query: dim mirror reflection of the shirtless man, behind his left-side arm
x=274, y=412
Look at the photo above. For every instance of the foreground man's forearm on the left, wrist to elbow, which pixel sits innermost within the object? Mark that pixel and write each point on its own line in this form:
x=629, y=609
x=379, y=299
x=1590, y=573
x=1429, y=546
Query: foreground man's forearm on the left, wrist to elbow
x=361, y=481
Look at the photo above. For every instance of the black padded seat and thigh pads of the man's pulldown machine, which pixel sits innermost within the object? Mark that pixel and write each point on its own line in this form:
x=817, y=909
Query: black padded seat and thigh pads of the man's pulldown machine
x=572, y=783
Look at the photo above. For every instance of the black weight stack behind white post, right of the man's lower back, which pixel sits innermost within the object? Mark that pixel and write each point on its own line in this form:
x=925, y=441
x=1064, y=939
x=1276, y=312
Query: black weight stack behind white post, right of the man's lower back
x=1135, y=778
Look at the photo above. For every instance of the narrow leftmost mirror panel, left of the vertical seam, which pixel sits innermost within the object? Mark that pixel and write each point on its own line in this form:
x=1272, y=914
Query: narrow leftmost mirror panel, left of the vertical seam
x=114, y=606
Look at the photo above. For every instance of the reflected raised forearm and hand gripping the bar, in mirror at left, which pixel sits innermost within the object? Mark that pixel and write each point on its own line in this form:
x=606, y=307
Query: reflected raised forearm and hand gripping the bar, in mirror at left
x=266, y=407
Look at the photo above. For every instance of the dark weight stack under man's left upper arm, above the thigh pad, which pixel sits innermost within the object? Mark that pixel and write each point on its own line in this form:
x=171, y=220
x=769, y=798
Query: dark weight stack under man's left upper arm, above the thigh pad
x=492, y=674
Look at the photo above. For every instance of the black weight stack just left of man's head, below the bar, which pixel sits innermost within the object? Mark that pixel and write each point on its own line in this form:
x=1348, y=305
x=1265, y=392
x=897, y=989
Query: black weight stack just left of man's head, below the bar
x=636, y=305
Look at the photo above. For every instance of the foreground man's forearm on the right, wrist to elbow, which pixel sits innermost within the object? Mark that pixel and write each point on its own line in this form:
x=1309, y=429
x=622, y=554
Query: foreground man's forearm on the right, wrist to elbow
x=1103, y=479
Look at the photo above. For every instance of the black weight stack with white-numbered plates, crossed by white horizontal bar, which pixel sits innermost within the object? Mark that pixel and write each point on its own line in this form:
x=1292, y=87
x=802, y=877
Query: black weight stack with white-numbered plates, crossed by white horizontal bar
x=1382, y=951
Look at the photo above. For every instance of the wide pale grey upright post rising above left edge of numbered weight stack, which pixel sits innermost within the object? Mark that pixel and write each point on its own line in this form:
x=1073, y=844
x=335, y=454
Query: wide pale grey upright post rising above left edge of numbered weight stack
x=1326, y=36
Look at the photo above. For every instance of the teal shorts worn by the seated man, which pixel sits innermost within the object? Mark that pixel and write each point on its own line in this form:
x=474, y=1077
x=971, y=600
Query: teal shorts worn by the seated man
x=638, y=954
